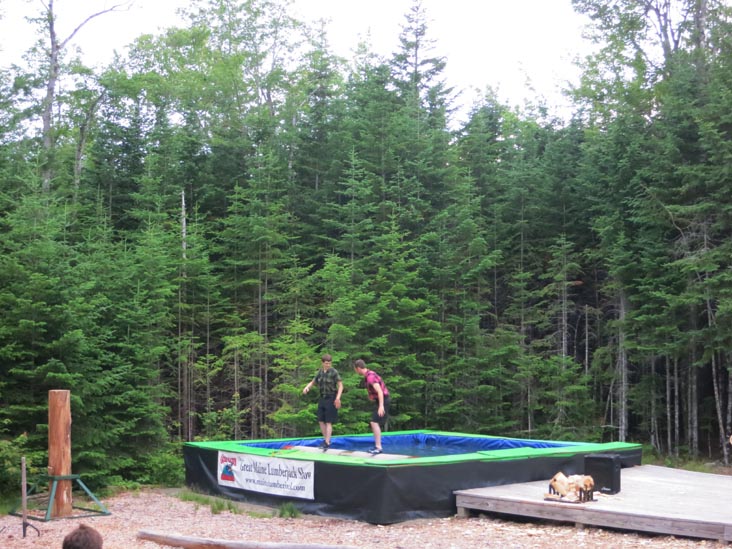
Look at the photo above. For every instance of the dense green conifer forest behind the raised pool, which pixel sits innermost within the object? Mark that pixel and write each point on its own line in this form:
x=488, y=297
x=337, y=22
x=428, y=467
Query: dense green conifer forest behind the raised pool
x=186, y=231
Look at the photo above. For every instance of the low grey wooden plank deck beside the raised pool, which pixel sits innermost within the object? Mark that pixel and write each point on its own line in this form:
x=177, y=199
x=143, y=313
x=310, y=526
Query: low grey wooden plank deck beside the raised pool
x=651, y=499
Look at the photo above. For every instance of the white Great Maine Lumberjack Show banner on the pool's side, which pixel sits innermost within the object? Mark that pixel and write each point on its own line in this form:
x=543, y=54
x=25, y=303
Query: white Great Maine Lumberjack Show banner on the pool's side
x=282, y=477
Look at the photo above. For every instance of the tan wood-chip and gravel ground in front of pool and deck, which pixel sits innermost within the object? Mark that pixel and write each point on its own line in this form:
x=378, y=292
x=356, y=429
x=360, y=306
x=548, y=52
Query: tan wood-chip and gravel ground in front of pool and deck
x=162, y=512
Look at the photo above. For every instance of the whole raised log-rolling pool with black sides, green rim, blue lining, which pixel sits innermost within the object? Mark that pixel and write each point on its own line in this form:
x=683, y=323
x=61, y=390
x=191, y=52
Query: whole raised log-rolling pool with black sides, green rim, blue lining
x=415, y=477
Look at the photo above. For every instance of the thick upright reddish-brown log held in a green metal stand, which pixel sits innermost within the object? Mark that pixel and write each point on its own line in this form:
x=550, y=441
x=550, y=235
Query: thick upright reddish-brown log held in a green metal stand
x=59, y=450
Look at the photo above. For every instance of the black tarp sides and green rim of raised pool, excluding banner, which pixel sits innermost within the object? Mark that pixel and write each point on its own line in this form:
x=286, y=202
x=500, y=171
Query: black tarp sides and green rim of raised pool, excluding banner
x=388, y=491
